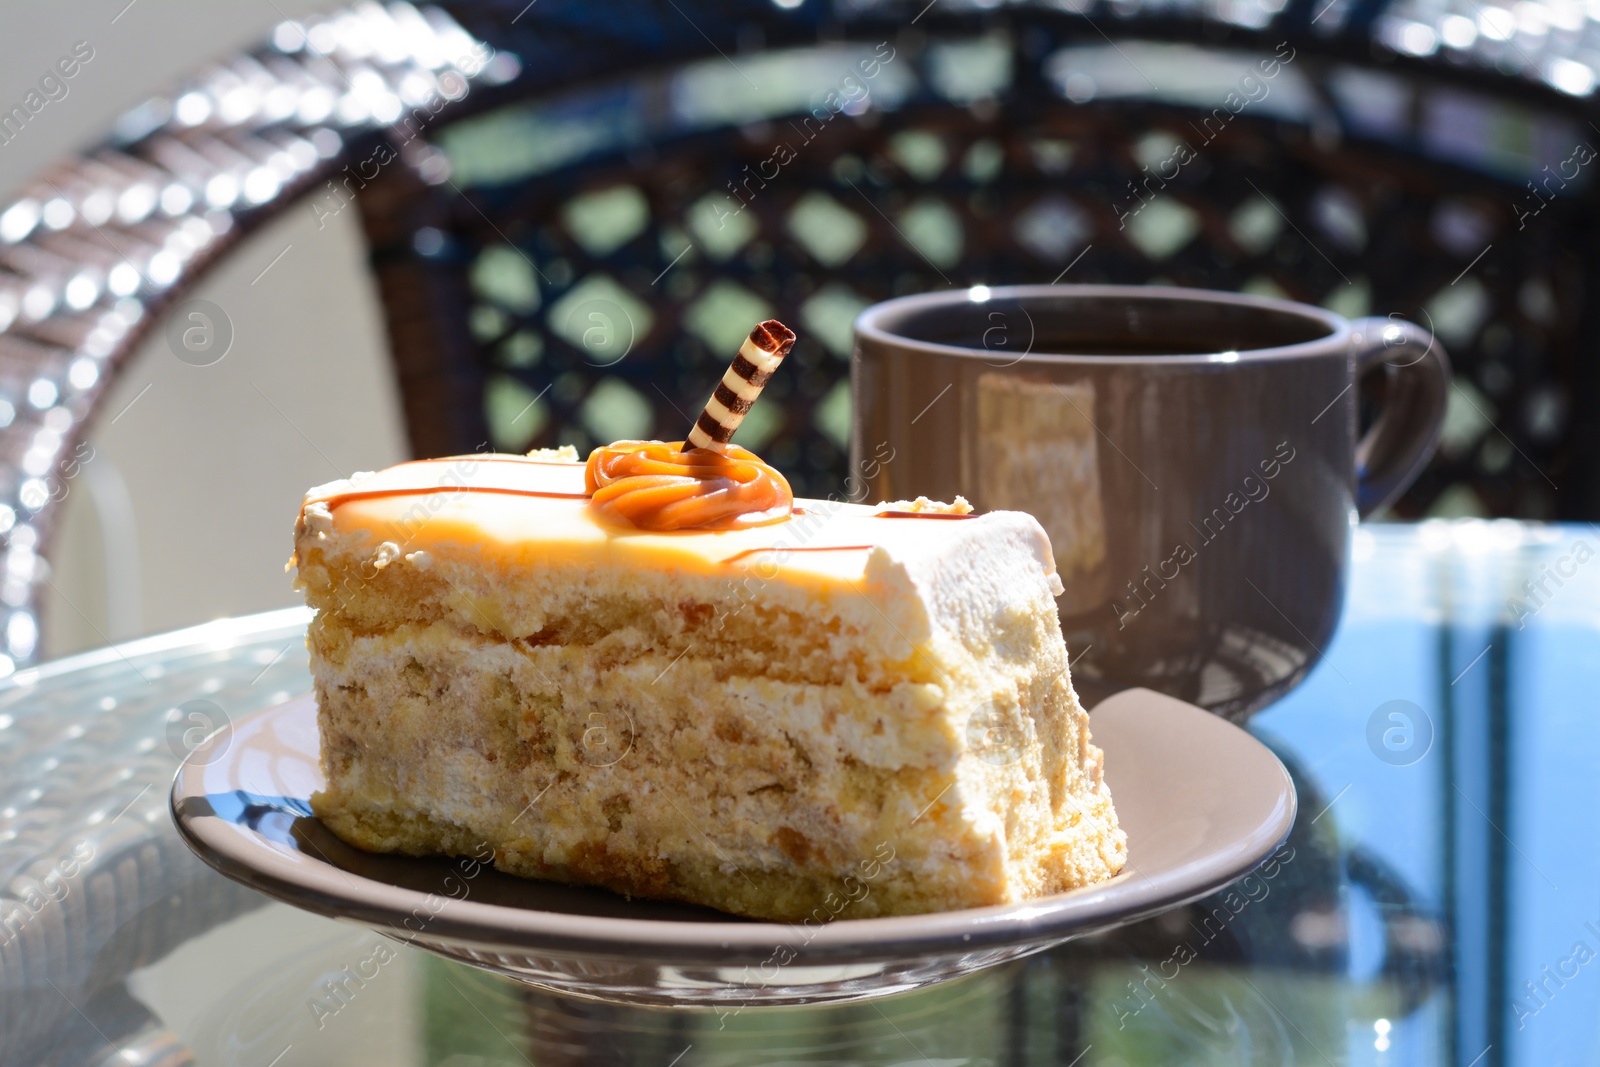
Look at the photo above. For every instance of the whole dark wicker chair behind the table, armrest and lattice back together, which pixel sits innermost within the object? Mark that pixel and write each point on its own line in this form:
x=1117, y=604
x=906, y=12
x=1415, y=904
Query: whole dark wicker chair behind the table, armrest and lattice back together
x=575, y=210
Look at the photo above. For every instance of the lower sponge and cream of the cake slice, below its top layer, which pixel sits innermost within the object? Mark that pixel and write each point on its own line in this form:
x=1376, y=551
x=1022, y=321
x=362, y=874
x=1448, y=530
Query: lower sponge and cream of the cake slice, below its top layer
x=654, y=777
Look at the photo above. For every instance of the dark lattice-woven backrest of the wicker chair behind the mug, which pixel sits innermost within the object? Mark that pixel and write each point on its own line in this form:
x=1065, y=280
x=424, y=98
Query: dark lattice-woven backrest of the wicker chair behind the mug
x=610, y=230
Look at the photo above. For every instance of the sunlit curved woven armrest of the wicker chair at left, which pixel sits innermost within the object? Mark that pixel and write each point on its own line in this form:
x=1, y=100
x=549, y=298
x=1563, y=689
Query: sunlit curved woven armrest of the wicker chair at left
x=102, y=247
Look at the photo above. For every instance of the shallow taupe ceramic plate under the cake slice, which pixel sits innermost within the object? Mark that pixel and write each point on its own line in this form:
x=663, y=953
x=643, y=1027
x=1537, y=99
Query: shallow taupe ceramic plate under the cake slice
x=1202, y=804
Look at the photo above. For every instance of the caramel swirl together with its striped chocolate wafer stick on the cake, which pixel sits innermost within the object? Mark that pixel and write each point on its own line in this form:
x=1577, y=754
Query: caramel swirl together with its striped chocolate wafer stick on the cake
x=703, y=482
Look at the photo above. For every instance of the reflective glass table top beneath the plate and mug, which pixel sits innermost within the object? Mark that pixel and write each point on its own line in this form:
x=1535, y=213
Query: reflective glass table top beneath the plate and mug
x=1434, y=905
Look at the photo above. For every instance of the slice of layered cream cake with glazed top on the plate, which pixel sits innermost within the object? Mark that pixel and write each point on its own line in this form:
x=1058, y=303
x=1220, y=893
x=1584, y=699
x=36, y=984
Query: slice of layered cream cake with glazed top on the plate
x=836, y=711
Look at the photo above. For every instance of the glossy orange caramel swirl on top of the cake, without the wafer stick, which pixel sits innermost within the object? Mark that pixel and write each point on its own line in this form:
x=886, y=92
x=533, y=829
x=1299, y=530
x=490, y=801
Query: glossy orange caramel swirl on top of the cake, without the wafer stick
x=657, y=486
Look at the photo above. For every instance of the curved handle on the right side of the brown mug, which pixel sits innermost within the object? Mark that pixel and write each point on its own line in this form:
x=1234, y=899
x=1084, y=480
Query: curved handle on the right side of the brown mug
x=1393, y=454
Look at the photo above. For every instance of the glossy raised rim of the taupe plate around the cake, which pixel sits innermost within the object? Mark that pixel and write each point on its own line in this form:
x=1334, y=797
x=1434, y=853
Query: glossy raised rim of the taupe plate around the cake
x=238, y=853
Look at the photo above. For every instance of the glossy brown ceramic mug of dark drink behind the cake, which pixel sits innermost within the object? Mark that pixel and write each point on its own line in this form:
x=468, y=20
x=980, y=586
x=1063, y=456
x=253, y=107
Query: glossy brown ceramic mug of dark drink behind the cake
x=1193, y=455
